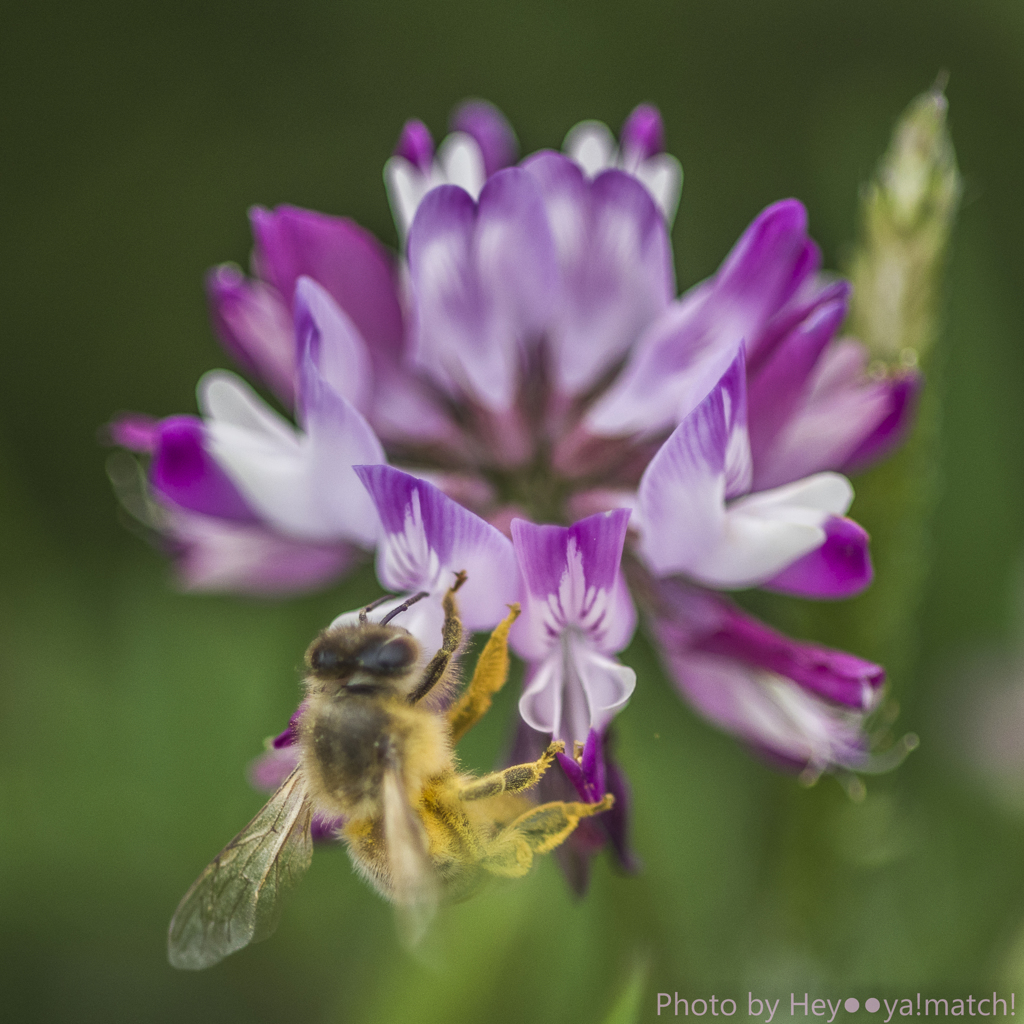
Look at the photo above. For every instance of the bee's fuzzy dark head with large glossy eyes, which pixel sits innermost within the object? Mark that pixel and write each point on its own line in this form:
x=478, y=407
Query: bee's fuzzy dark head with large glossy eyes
x=362, y=659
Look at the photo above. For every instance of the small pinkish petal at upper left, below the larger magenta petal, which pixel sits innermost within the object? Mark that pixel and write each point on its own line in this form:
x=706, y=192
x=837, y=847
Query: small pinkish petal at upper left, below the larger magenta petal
x=254, y=326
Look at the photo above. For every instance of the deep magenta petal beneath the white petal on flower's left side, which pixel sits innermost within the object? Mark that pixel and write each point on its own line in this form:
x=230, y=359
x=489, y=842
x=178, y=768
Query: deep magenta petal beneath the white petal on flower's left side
x=184, y=473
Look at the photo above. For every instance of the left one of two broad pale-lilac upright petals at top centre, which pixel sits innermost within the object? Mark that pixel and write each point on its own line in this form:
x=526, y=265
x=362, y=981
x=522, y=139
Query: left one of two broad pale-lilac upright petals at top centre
x=483, y=281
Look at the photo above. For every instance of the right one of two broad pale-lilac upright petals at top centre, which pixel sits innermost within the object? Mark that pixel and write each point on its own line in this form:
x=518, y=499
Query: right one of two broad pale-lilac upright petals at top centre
x=616, y=262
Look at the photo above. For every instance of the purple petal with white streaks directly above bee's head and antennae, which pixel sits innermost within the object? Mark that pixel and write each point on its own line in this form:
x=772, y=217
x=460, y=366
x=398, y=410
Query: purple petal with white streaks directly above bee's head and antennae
x=428, y=537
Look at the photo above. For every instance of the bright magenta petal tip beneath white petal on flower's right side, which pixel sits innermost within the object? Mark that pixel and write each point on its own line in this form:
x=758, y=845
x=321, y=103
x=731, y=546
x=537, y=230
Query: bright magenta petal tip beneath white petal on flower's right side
x=841, y=568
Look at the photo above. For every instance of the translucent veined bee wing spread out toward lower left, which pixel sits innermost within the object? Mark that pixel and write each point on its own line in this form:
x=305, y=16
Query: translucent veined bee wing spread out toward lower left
x=238, y=899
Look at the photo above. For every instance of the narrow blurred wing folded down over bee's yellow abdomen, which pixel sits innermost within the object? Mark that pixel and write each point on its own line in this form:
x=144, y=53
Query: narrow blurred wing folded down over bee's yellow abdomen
x=415, y=884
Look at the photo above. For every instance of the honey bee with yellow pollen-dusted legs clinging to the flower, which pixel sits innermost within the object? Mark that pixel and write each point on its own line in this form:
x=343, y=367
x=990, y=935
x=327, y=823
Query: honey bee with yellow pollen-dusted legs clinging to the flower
x=376, y=742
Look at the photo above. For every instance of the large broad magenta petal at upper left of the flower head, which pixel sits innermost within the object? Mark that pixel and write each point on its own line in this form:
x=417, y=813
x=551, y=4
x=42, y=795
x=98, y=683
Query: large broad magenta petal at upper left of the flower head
x=342, y=257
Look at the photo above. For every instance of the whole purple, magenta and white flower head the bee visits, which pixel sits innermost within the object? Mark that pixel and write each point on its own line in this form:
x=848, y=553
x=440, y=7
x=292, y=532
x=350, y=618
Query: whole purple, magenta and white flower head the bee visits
x=565, y=423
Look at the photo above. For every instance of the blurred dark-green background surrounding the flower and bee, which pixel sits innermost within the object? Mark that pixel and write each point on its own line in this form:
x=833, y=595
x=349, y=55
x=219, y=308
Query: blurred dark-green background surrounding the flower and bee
x=135, y=139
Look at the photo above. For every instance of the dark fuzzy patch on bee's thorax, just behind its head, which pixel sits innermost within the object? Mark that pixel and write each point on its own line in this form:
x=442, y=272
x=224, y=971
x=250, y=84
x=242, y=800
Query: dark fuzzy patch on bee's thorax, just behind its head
x=353, y=744
